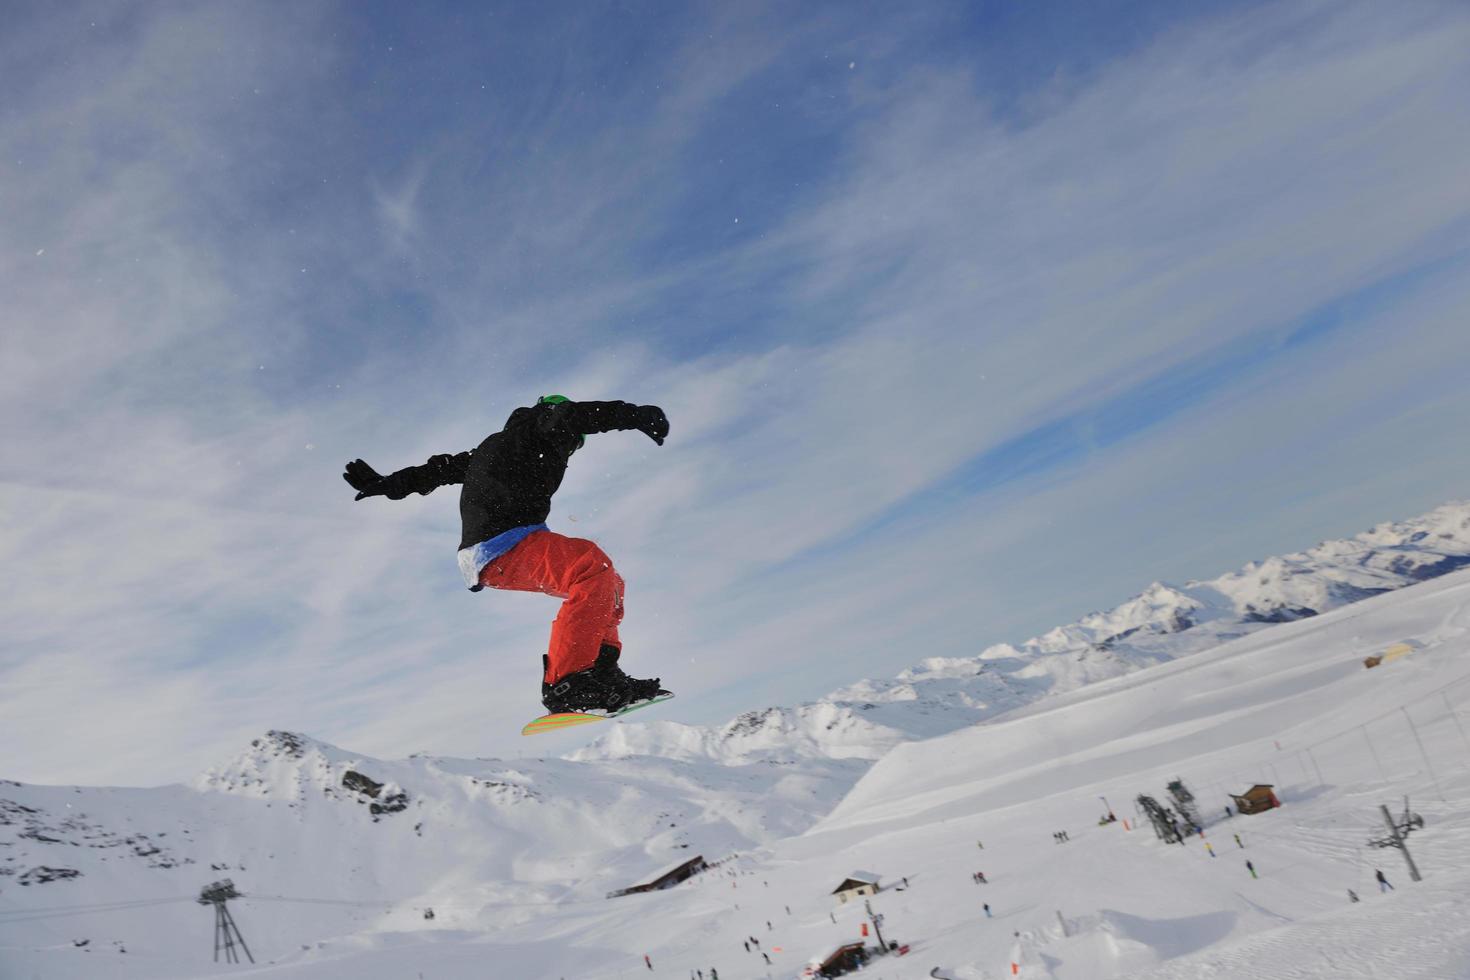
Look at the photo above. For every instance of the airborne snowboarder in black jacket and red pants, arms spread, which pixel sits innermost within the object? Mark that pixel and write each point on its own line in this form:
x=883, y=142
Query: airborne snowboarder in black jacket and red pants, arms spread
x=506, y=497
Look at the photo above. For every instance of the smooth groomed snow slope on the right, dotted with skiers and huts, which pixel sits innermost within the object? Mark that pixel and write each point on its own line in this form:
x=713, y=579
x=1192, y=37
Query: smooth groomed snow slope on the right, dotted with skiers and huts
x=1137, y=907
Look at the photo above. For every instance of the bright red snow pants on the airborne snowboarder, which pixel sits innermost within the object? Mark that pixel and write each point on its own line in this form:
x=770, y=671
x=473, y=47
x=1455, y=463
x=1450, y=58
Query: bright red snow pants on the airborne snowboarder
x=577, y=572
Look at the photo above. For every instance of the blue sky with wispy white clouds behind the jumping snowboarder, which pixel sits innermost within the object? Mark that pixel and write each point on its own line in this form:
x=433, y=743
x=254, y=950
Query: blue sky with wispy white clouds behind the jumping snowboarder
x=969, y=320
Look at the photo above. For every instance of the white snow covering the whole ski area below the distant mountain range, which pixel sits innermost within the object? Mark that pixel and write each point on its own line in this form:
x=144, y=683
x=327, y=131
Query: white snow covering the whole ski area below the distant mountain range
x=1290, y=705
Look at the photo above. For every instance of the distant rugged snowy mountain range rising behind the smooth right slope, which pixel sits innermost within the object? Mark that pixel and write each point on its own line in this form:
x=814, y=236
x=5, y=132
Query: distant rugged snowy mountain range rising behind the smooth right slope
x=1162, y=624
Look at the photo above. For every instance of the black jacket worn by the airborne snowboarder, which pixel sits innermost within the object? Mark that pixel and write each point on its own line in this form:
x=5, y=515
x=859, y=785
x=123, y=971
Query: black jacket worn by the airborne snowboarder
x=511, y=477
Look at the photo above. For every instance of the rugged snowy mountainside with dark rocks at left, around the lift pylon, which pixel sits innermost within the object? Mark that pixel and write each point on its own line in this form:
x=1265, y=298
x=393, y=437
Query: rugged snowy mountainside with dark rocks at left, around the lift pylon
x=365, y=841
